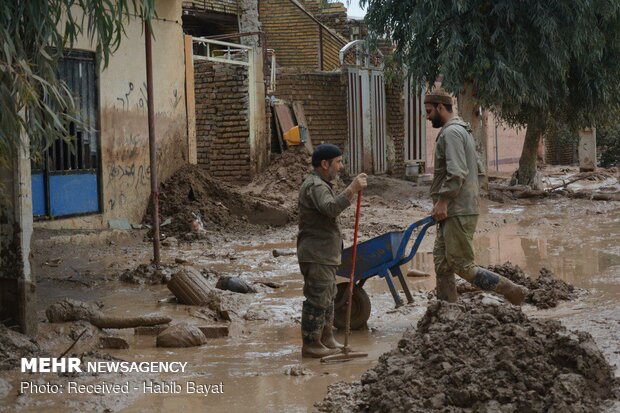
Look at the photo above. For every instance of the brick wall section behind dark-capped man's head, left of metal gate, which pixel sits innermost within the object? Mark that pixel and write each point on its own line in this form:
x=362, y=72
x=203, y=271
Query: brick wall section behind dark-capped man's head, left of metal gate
x=324, y=97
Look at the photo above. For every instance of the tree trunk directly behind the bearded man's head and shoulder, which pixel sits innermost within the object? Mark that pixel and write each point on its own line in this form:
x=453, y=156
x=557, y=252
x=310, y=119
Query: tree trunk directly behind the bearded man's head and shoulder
x=470, y=111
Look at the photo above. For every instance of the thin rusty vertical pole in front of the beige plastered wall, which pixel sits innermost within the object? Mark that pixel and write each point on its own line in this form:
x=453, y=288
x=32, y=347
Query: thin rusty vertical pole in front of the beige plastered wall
x=152, y=143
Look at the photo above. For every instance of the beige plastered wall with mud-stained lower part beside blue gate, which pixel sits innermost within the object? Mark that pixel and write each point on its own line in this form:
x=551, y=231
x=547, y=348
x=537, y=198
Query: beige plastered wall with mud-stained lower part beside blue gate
x=124, y=146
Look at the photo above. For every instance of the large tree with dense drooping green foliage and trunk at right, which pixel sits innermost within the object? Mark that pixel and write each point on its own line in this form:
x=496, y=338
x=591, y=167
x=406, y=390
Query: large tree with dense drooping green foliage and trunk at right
x=532, y=62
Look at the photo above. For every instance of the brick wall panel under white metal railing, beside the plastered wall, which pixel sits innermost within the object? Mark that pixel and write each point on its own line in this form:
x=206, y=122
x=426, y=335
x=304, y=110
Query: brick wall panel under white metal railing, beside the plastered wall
x=222, y=129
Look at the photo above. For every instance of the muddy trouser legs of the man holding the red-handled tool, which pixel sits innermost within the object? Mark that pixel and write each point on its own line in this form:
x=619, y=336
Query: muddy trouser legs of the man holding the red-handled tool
x=320, y=292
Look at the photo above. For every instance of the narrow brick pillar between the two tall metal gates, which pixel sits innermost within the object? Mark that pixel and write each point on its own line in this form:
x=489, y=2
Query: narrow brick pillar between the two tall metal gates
x=394, y=101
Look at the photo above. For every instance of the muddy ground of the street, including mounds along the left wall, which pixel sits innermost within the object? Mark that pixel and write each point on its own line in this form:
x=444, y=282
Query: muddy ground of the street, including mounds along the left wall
x=259, y=362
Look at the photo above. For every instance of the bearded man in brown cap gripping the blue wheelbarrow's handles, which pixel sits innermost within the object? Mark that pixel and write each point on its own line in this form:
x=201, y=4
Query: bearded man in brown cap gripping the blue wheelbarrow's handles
x=455, y=205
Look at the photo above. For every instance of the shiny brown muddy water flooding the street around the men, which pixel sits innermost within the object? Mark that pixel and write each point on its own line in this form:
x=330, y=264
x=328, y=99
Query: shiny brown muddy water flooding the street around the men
x=576, y=241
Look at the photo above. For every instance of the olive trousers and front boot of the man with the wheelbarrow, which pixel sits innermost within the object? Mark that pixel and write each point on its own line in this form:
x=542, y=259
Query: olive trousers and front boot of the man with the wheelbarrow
x=454, y=253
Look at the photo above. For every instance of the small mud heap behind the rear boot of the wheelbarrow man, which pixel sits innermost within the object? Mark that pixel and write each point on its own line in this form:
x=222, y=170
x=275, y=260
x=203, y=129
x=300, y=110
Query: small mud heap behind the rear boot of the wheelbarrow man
x=546, y=291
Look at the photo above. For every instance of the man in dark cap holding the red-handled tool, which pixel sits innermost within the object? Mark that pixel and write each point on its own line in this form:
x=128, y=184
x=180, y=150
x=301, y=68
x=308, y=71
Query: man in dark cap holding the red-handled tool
x=319, y=247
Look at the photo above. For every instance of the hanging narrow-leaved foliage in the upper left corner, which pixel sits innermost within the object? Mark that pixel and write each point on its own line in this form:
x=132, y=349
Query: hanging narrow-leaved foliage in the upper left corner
x=34, y=35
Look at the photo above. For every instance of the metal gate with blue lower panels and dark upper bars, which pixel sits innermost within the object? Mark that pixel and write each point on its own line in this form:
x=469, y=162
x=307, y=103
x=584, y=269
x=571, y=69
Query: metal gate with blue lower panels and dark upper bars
x=66, y=181
